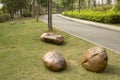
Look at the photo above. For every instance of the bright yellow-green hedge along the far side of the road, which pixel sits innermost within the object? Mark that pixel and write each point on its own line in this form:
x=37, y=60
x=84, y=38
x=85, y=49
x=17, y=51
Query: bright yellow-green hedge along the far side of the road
x=104, y=17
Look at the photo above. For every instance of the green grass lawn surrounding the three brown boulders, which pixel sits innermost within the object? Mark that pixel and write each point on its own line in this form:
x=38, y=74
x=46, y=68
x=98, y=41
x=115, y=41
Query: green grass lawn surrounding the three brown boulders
x=21, y=51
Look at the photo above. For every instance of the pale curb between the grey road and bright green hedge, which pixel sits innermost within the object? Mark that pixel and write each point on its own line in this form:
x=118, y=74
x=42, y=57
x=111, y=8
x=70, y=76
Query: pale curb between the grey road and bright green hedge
x=100, y=25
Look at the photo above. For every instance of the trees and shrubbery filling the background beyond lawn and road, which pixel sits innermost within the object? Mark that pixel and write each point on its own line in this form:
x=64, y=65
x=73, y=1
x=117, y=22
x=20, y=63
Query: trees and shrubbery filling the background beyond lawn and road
x=105, y=11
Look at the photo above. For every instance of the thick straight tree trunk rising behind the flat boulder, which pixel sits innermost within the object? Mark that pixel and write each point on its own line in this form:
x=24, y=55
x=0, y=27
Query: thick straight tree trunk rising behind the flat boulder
x=50, y=14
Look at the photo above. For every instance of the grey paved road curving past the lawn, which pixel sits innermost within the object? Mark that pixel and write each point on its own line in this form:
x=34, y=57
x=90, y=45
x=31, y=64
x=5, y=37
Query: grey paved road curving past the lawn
x=104, y=37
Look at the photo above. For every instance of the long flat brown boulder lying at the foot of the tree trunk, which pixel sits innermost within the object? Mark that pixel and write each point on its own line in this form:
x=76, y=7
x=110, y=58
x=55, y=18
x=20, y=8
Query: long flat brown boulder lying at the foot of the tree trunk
x=52, y=38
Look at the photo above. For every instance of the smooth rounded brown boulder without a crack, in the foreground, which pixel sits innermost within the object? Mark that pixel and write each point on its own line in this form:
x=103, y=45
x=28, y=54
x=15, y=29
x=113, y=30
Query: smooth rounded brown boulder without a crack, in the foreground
x=54, y=60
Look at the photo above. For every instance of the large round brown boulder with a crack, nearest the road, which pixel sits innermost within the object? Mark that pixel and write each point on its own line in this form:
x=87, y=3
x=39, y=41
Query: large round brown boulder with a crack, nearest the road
x=95, y=59
